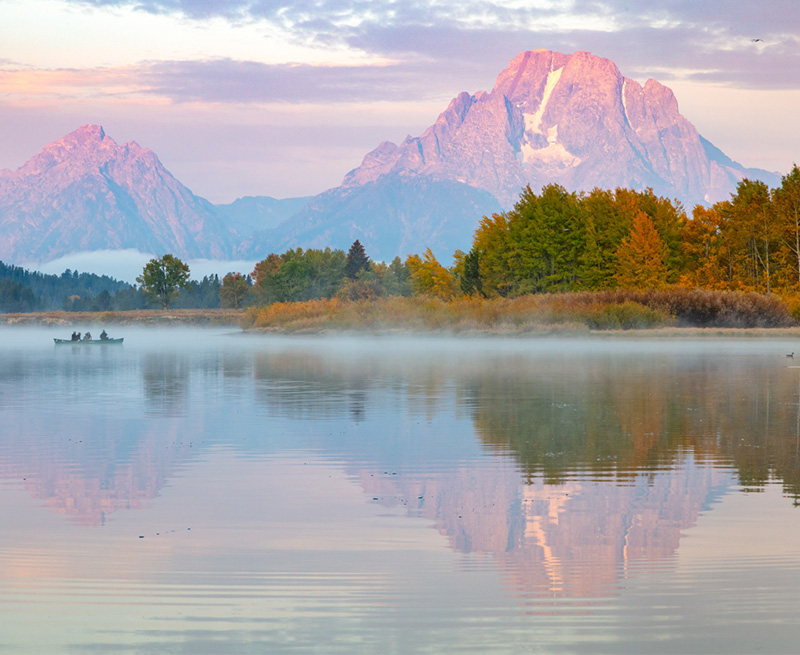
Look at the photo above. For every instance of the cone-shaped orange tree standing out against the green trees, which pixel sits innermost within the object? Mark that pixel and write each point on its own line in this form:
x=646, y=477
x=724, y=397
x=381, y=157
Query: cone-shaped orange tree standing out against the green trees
x=641, y=256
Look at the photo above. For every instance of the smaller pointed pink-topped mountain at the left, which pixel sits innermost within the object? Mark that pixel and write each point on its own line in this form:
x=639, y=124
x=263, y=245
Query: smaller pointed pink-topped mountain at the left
x=86, y=192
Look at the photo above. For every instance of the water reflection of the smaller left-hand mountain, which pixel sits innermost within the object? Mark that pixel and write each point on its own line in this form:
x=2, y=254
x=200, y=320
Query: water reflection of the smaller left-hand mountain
x=77, y=434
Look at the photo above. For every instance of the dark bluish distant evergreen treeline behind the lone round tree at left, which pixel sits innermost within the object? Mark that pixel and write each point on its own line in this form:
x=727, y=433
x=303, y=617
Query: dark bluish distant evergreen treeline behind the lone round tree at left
x=22, y=290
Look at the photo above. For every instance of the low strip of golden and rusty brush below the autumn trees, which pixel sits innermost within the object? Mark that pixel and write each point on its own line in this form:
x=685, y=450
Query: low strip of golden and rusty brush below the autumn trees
x=604, y=310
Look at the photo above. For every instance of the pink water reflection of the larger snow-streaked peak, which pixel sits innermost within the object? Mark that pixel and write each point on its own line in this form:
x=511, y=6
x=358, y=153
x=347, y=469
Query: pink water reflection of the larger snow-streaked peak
x=558, y=540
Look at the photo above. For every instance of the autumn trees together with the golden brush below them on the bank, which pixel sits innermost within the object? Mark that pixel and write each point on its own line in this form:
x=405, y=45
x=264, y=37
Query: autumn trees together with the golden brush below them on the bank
x=606, y=259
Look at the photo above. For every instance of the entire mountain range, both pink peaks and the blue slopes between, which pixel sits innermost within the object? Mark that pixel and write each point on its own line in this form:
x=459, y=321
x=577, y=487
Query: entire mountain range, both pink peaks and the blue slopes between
x=573, y=119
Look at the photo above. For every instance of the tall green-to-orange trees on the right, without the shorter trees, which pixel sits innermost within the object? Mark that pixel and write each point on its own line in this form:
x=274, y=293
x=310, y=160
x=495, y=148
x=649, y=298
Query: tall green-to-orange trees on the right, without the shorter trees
x=561, y=241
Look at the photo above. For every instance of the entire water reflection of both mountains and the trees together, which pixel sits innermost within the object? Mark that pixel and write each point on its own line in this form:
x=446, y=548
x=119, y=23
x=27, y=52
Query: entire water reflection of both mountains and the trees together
x=602, y=458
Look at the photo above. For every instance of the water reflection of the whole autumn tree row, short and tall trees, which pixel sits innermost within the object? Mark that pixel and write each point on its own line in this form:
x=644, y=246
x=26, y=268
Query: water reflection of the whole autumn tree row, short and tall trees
x=558, y=414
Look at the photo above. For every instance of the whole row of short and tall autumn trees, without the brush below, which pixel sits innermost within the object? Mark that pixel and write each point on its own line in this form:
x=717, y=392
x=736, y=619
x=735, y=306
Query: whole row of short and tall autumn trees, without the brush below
x=560, y=241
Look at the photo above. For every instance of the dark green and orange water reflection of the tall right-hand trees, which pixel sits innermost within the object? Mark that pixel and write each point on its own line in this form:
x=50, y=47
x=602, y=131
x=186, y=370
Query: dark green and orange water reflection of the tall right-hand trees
x=632, y=415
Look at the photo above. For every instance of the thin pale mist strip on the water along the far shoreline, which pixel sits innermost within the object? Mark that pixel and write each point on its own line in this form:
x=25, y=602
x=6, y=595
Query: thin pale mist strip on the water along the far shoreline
x=399, y=347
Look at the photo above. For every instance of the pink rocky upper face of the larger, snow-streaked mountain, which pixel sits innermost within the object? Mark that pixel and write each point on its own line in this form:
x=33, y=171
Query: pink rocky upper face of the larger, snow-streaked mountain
x=570, y=119
